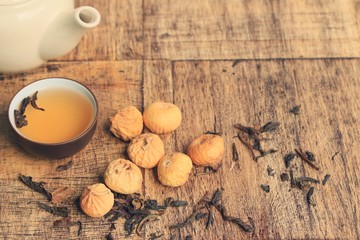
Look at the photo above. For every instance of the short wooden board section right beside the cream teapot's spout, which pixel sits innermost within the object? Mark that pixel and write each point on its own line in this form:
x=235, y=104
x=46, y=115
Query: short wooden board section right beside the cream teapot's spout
x=119, y=35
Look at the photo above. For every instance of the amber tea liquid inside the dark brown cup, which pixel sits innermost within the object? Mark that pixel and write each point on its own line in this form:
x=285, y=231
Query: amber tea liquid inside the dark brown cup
x=67, y=114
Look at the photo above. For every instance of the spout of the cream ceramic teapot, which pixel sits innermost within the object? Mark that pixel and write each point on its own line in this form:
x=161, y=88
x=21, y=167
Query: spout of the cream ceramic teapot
x=67, y=30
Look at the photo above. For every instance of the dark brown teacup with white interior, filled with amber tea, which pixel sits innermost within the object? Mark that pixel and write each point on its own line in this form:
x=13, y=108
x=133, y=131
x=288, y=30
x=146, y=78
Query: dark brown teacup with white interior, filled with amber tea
x=53, y=117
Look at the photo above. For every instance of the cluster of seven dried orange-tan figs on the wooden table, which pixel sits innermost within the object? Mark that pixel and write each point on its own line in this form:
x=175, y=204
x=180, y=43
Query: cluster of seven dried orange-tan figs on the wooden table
x=146, y=150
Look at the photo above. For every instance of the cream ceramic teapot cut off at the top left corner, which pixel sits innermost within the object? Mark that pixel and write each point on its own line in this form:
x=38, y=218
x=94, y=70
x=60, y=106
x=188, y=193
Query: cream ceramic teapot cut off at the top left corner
x=34, y=31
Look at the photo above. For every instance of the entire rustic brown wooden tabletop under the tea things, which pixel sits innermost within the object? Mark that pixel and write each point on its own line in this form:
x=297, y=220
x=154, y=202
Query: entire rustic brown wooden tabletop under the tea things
x=222, y=62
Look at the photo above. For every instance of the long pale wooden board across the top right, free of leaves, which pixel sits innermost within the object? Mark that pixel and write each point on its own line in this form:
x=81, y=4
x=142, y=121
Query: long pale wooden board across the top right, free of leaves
x=248, y=29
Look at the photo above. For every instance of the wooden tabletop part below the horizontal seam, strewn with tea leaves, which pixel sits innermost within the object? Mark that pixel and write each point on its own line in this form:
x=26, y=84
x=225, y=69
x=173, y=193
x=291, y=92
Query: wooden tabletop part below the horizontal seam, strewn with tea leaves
x=213, y=96
